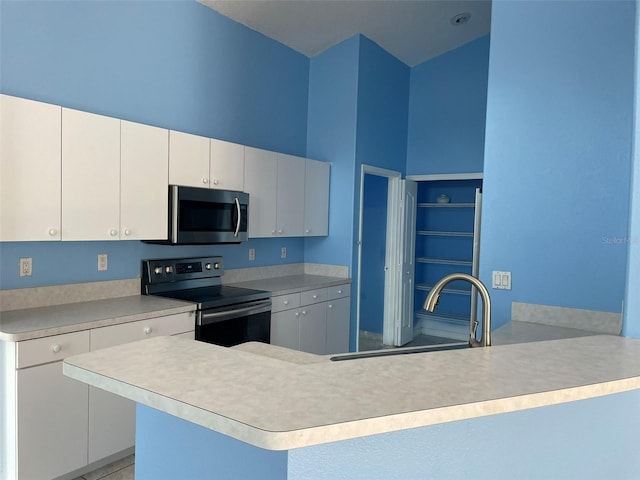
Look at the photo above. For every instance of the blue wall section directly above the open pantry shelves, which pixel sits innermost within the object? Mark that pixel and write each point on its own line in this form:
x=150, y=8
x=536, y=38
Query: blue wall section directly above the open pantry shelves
x=447, y=110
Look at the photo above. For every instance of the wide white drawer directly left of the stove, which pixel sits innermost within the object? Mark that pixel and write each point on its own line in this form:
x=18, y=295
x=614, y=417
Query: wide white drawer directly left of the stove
x=130, y=332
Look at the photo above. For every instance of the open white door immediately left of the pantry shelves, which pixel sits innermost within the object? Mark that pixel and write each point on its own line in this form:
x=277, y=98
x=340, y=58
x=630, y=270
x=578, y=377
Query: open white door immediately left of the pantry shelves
x=404, y=326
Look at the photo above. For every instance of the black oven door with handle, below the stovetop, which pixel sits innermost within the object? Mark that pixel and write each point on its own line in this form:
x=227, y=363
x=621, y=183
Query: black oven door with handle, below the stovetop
x=235, y=324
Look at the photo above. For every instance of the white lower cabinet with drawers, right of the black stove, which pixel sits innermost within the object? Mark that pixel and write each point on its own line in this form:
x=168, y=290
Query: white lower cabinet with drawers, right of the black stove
x=314, y=321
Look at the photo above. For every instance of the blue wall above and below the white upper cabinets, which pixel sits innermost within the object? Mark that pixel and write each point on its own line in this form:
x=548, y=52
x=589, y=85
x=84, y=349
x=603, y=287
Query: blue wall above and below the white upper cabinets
x=174, y=64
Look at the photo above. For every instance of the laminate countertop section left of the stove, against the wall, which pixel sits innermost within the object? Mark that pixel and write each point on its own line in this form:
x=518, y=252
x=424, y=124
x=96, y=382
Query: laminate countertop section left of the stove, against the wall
x=29, y=323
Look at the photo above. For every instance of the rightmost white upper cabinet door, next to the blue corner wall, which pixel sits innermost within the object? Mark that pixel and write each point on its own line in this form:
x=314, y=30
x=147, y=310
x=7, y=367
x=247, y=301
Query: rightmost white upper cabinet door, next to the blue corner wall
x=316, y=198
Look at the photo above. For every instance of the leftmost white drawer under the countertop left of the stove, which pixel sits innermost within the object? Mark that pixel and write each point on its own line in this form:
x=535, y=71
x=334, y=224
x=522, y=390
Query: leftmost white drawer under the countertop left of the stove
x=51, y=349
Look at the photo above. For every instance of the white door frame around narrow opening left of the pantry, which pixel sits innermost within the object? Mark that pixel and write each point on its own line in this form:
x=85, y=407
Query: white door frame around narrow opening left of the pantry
x=393, y=257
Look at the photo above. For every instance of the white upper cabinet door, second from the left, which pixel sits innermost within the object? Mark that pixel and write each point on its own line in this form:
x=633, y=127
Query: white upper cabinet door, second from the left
x=90, y=176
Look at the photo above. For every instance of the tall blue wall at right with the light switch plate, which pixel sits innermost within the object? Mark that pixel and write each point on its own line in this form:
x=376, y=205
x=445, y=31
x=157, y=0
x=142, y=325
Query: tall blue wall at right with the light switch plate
x=557, y=153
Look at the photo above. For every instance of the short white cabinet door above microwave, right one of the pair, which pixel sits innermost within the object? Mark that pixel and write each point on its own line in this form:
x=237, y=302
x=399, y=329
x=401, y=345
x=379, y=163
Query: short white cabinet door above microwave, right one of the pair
x=226, y=165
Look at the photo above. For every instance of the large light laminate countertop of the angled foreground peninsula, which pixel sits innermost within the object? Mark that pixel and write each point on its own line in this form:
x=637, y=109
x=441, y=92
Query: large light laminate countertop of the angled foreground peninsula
x=279, y=403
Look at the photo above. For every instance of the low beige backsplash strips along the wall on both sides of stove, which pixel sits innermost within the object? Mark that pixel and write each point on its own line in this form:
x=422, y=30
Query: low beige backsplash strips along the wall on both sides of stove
x=83, y=292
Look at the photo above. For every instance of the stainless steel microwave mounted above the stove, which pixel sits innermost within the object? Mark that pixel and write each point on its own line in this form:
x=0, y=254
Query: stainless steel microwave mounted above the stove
x=200, y=216
